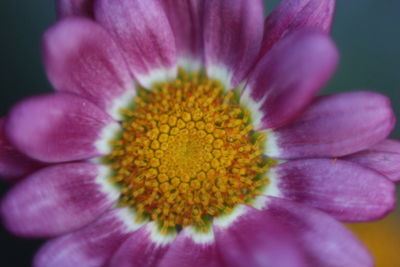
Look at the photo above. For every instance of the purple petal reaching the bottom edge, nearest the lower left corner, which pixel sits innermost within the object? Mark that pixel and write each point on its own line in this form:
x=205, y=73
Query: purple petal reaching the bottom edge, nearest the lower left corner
x=91, y=246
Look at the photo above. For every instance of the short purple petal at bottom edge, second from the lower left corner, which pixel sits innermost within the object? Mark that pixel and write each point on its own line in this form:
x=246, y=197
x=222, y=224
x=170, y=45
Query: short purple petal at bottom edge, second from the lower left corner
x=139, y=250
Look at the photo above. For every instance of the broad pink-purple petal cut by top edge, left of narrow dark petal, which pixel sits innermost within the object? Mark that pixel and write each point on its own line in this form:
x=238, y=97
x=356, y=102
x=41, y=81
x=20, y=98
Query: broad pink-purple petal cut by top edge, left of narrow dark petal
x=143, y=32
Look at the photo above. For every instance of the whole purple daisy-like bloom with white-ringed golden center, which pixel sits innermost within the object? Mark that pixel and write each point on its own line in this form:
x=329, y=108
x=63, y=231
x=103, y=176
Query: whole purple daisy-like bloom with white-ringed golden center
x=187, y=133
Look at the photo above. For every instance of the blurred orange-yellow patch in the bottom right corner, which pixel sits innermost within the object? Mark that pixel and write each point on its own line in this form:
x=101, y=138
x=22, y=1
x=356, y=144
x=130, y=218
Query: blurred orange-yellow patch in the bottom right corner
x=382, y=238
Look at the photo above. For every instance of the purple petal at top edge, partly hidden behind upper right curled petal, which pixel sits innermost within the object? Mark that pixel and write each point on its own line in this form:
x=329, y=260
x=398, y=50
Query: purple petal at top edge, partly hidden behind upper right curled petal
x=291, y=15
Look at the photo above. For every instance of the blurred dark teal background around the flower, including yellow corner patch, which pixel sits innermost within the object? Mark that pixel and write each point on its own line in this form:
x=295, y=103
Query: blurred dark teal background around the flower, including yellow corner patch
x=367, y=33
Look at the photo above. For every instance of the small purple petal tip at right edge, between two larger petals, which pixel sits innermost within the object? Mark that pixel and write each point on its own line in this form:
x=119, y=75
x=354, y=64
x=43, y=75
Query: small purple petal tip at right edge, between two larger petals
x=383, y=158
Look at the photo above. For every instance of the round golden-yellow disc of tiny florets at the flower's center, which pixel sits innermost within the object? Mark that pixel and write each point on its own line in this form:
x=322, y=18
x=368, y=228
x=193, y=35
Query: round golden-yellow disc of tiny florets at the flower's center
x=187, y=153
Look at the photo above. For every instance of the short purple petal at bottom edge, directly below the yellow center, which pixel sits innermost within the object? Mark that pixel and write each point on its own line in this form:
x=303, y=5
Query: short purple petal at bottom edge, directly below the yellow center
x=184, y=251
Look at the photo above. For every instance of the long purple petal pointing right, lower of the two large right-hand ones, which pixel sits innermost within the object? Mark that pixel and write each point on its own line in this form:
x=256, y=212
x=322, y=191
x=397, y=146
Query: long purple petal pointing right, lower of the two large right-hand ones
x=343, y=189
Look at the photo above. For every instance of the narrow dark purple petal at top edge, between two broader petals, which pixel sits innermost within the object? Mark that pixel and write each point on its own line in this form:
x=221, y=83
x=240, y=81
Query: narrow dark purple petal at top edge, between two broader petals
x=186, y=19
